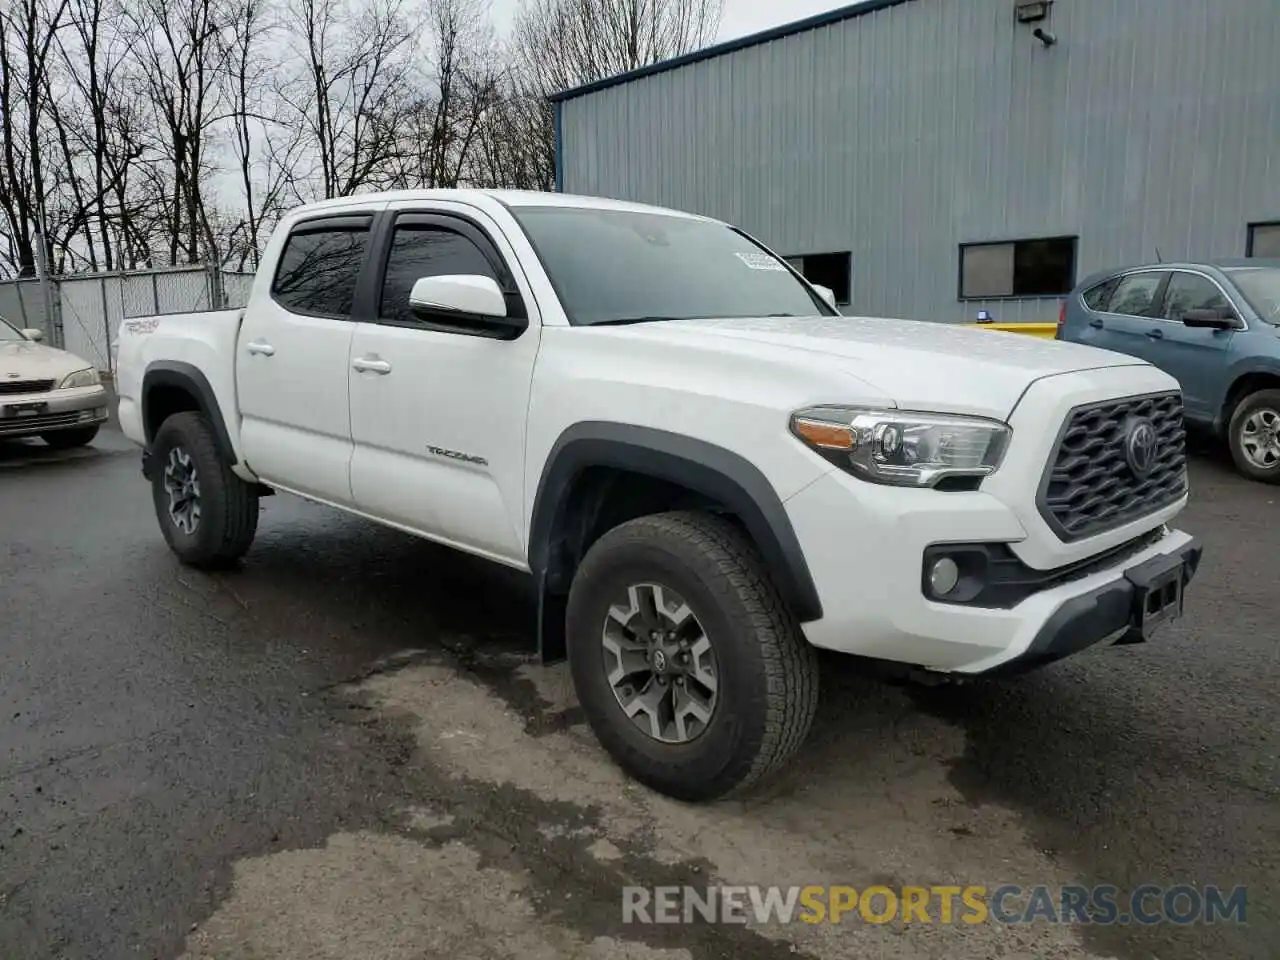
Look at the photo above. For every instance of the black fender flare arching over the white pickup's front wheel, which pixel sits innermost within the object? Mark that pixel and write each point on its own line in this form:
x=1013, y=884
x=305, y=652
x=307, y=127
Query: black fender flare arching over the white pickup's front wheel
x=696, y=465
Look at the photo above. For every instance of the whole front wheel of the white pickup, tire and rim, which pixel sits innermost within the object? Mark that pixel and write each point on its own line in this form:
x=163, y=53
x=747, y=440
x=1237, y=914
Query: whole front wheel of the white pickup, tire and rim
x=689, y=668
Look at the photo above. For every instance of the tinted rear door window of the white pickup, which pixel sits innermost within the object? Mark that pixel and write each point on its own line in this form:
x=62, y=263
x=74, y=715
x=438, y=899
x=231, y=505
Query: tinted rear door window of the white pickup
x=319, y=269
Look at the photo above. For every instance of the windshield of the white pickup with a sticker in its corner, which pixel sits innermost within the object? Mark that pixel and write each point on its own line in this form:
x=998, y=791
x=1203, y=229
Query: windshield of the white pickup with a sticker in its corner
x=619, y=267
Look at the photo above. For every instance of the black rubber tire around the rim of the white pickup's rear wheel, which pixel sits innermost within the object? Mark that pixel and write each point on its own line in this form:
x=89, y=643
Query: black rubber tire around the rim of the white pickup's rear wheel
x=230, y=506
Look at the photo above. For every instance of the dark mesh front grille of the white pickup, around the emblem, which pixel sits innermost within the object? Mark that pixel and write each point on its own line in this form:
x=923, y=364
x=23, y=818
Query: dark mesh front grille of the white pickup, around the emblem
x=1091, y=488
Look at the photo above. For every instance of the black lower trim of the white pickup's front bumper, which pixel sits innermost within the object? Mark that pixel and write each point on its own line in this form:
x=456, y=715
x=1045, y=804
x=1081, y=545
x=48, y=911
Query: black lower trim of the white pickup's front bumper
x=1090, y=619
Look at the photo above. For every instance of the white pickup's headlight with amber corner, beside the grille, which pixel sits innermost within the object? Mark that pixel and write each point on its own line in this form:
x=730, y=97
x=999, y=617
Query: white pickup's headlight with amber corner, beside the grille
x=902, y=447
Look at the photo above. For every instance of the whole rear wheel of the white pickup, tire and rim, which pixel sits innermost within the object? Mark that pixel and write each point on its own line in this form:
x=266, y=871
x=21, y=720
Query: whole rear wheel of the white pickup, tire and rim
x=208, y=515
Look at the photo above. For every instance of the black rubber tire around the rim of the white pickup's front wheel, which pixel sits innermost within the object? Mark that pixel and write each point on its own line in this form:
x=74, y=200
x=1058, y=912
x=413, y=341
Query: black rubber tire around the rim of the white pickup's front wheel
x=769, y=673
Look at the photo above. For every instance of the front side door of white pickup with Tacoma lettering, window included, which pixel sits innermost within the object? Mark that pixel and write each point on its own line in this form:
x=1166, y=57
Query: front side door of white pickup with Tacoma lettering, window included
x=438, y=413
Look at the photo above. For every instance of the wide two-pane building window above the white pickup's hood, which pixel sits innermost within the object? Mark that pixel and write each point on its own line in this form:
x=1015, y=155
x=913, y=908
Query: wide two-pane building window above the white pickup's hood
x=1035, y=268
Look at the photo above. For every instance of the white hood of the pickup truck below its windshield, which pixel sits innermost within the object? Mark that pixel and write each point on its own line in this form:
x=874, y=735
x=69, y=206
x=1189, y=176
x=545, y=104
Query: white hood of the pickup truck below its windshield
x=935, y=367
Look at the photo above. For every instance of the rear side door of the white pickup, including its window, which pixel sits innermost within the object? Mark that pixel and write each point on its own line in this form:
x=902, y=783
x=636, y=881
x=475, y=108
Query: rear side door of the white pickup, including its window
x=294, y=356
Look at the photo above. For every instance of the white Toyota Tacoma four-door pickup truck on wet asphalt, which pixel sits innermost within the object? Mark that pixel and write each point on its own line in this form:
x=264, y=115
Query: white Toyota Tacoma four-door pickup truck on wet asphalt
x=706, y=468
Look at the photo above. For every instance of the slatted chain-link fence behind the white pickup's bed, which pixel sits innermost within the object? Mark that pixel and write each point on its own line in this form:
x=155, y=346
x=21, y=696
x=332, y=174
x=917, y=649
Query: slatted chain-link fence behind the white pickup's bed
x=83, y=313
